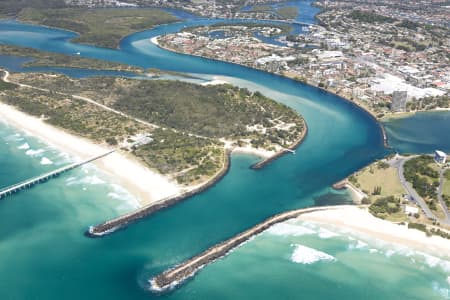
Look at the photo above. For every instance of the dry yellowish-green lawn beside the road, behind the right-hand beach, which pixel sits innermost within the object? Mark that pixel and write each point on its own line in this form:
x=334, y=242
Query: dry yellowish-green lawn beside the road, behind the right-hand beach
x=373, y=176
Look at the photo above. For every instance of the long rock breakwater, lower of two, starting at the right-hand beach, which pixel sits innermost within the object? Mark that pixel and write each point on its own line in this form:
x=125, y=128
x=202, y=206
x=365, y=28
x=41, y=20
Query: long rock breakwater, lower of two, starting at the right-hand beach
x=171, y=278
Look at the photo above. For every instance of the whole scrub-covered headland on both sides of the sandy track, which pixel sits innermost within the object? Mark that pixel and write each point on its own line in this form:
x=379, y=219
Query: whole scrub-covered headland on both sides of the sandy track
x=180, y=153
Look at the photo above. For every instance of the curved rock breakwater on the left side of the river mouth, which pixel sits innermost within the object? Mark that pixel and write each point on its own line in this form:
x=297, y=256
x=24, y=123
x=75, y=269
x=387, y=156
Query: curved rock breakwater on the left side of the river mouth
x=124, y=220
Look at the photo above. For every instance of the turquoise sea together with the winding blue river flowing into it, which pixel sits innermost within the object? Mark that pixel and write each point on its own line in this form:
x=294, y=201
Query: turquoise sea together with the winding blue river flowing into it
x=44, y=255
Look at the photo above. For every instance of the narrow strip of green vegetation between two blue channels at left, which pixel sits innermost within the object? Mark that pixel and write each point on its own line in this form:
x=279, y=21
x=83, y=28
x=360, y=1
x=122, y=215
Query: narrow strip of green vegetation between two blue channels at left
x=42, y=58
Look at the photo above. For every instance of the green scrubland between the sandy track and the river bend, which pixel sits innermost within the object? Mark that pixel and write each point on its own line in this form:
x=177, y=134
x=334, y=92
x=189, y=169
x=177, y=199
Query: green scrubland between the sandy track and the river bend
x=212, y=111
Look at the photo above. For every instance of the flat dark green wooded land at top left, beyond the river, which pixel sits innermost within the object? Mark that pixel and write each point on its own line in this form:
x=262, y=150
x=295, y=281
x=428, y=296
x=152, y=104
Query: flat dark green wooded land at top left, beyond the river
x=100, y=27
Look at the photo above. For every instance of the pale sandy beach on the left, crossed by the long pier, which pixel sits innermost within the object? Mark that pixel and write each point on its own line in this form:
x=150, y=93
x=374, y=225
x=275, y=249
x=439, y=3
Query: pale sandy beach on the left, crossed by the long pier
x=146, y=185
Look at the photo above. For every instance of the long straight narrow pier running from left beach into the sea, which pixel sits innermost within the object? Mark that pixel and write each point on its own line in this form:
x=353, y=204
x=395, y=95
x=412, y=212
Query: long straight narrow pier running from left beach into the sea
x=26, y=184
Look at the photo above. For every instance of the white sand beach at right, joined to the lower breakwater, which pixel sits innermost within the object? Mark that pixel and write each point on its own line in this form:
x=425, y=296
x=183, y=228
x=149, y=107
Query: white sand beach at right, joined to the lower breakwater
x=360, y=220
